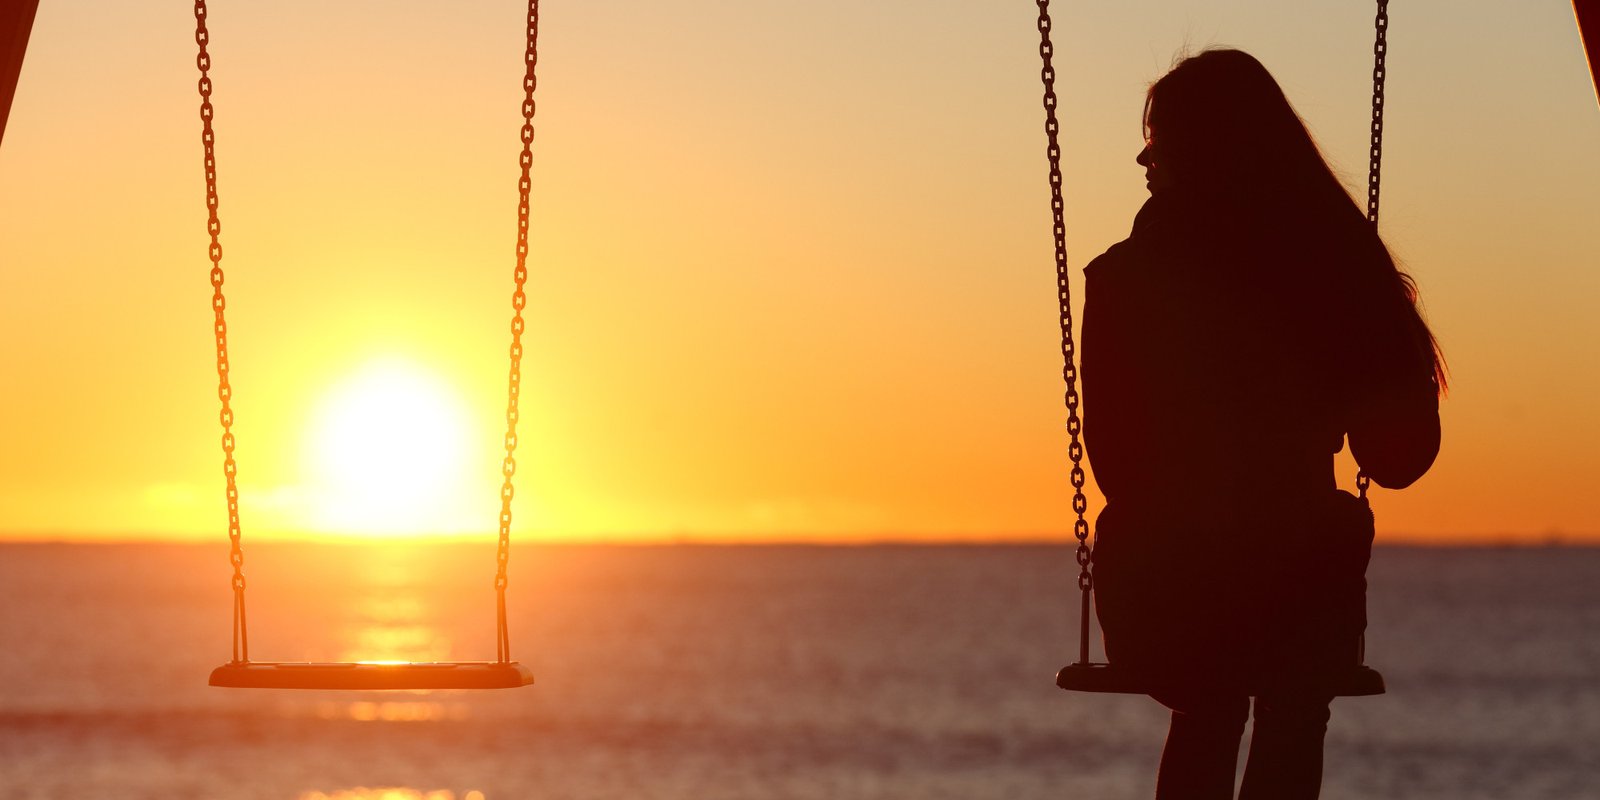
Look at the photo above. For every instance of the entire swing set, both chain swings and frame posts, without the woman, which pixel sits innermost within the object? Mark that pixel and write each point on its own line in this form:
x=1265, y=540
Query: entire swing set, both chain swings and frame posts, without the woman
x=503, y=673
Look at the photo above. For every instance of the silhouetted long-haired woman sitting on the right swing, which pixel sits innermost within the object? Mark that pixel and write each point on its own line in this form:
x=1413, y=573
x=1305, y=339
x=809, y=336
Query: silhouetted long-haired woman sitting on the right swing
x=1247, y=327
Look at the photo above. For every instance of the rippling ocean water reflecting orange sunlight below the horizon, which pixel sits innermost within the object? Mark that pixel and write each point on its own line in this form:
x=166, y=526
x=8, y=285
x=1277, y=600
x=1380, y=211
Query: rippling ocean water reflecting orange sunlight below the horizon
x=761, y=673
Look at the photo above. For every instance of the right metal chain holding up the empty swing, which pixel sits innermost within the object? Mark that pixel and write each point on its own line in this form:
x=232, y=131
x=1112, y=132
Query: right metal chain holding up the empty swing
x=519, y=300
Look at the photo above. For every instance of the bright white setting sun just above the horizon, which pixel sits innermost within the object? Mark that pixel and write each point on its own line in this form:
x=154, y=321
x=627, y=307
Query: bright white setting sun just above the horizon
x=391, y=447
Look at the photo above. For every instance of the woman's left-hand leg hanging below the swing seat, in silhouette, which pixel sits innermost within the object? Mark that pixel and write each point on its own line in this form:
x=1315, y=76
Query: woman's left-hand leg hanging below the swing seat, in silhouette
x=1202, y=746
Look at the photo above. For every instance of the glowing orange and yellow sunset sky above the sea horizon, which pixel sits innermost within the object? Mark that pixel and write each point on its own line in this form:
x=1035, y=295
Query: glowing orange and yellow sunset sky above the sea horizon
x=791, y=266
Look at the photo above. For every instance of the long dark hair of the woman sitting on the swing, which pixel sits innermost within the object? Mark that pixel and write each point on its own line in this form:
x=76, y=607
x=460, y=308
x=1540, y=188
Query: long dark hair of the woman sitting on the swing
x=1220, y=124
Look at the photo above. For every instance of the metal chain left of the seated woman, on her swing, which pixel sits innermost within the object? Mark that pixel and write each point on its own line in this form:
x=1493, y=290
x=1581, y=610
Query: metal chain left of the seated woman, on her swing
x=1070, y=370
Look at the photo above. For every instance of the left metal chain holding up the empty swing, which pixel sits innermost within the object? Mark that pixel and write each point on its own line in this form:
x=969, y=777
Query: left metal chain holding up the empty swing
x=225, y=391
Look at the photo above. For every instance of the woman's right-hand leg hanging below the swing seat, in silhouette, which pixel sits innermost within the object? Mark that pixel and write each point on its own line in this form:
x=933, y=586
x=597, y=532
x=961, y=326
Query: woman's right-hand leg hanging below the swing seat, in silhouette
x=1286, y=748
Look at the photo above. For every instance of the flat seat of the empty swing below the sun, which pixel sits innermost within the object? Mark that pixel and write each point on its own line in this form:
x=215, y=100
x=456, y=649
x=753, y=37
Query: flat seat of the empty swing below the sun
x=372, y=676
